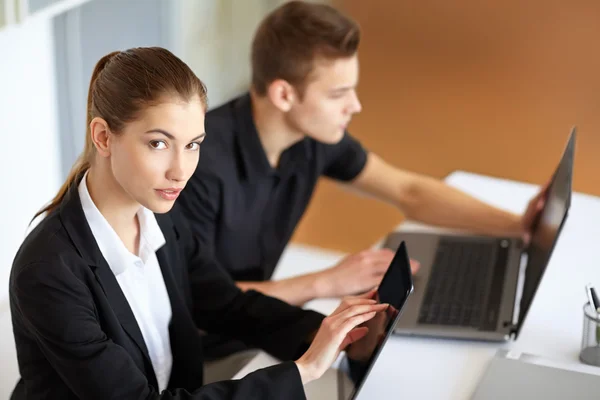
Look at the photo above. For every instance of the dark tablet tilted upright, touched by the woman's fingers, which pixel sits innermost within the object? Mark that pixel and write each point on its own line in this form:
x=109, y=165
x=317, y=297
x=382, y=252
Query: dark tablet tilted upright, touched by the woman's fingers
x=394, y=290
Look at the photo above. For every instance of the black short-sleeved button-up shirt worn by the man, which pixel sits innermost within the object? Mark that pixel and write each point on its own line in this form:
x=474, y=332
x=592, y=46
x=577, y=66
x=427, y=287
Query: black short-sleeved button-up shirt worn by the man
x=243, y=210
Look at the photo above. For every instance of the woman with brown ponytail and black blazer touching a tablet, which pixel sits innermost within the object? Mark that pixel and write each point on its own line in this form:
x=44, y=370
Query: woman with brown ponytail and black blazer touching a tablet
x=108, y=292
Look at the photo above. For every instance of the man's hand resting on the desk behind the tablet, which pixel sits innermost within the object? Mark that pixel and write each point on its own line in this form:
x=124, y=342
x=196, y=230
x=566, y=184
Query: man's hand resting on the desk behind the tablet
x=358, y=273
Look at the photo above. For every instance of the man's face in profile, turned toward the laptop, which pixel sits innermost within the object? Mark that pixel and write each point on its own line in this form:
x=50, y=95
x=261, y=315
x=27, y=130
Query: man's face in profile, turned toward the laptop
x=329, y=101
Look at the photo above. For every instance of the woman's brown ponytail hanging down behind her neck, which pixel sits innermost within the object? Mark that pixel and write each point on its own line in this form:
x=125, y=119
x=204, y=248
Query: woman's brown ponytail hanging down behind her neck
x=84, y=160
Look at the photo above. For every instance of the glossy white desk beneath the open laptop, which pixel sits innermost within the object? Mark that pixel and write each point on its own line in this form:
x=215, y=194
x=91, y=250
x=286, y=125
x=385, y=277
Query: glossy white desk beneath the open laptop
x=419, y=368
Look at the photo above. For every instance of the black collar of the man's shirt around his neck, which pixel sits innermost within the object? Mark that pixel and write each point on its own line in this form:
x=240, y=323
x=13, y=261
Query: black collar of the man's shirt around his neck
x=253, y=154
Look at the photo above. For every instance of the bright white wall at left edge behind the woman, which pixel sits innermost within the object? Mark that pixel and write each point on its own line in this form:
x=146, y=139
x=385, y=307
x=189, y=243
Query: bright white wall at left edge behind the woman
x=29, y=160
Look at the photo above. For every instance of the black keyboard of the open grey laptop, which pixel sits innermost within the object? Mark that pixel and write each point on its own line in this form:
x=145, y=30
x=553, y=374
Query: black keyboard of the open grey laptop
x=460, y=291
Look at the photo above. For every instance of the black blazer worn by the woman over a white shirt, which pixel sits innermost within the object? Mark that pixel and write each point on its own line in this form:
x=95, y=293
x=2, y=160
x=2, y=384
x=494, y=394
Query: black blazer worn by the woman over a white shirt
x=77, y=337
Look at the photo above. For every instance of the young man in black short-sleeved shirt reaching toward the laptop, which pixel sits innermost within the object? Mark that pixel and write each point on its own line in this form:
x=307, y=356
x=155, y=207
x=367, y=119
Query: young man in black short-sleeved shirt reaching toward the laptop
x=269, y=148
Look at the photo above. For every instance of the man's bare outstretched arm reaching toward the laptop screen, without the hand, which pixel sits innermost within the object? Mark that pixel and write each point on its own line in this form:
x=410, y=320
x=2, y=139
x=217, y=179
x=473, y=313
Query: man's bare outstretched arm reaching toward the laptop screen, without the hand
x=431, y=201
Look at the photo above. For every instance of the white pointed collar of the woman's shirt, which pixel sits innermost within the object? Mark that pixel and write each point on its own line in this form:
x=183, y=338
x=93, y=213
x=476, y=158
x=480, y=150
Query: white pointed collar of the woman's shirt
x=112, y=247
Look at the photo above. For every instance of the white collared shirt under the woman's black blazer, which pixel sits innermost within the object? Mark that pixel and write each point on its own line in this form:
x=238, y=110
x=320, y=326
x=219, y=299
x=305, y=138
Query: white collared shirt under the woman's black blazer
x=140, y=279
